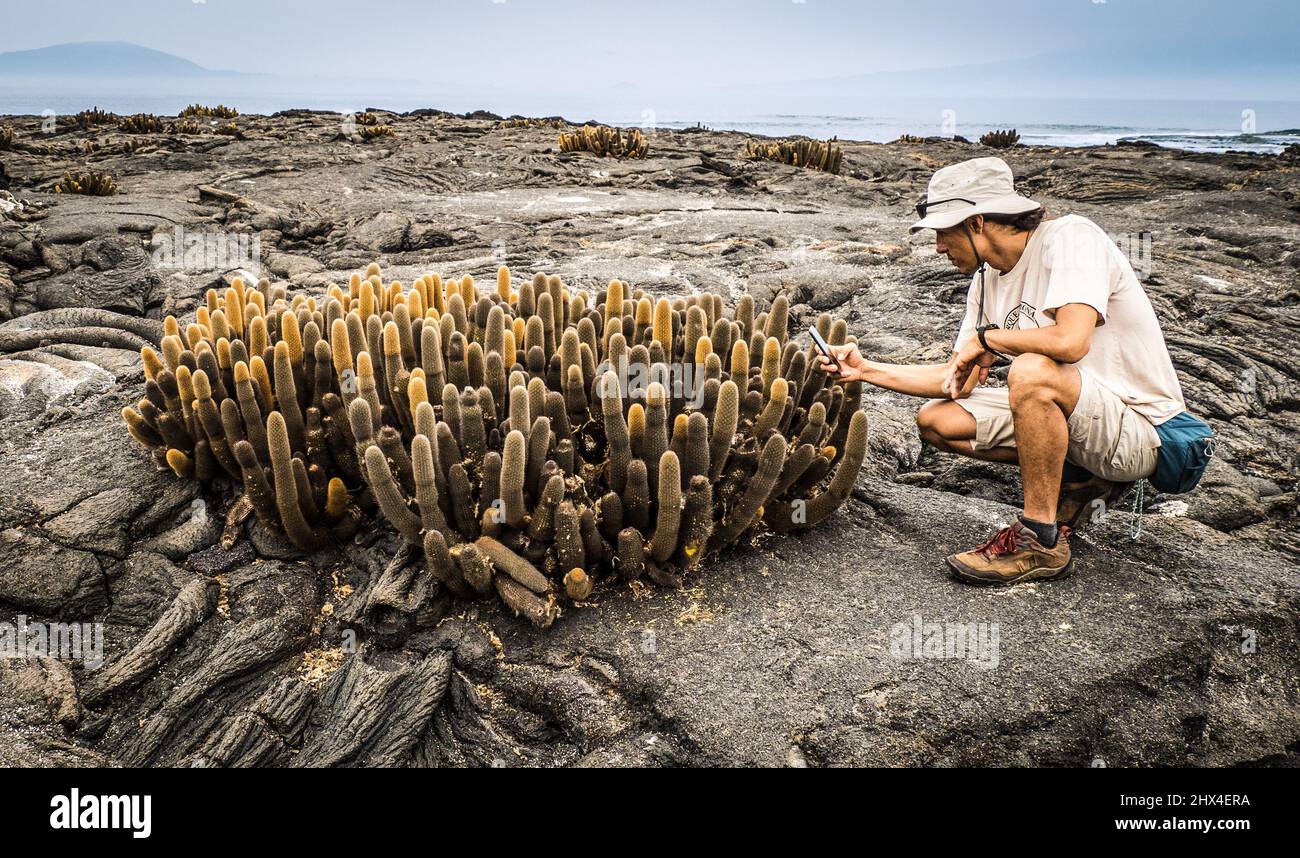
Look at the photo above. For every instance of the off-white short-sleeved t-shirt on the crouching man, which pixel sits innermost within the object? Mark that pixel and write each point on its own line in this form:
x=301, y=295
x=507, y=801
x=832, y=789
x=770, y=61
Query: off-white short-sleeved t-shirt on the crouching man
x=1071, y=261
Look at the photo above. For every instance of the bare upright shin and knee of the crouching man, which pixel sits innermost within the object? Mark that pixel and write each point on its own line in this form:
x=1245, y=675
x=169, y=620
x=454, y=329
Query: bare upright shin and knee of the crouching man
x=1043, y=396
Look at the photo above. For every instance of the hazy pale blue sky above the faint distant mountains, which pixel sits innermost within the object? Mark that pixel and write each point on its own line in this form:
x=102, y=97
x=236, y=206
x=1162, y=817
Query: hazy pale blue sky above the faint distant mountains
x=655, y=44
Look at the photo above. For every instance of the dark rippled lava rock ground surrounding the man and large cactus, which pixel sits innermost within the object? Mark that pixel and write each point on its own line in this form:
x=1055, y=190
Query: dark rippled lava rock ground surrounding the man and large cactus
x=227, y=647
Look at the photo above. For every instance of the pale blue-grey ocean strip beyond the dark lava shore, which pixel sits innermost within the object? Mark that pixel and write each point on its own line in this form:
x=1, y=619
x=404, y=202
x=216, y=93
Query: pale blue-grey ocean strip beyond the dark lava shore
x=1194, y=125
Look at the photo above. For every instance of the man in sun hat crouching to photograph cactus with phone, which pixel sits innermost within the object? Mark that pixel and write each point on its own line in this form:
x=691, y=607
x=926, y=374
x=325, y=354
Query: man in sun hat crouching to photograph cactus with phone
x=1090, y=375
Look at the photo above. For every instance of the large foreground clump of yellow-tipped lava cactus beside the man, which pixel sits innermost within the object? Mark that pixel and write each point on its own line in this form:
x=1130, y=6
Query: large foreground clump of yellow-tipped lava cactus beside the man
x=530, y=439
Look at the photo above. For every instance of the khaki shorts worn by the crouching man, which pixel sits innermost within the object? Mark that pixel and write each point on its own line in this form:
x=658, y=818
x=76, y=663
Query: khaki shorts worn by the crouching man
x=1107, y=437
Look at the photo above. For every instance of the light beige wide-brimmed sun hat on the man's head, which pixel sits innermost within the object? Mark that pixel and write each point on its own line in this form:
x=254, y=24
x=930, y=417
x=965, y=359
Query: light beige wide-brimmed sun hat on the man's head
x=980, y=187
